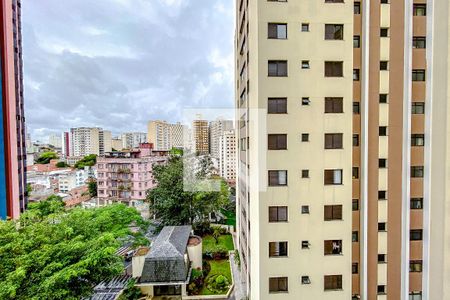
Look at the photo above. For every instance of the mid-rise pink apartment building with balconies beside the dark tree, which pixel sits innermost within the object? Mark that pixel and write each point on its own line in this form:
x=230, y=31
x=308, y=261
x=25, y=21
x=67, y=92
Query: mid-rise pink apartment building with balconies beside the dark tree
x=126, y=176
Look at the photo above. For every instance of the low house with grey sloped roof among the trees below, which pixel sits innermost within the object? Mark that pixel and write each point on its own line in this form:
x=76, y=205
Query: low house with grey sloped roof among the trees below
x=167, y=266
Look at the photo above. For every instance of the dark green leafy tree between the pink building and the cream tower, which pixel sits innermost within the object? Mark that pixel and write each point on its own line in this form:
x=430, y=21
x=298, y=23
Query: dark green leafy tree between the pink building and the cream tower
x=174, y=205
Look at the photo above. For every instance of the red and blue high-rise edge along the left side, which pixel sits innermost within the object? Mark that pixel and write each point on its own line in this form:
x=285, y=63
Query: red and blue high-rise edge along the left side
x=13, y=199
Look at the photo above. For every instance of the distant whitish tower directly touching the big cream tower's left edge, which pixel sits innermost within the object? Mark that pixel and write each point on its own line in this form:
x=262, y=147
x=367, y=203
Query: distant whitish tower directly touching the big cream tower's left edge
x=227, y=155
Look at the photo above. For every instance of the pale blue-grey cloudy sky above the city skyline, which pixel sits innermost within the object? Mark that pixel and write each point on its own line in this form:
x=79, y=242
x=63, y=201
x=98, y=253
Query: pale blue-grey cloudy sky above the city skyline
x=119, y=63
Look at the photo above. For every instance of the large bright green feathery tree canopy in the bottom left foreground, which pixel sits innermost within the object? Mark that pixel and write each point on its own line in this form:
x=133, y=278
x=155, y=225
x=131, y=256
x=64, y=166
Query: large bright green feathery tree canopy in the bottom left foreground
x=52, y=253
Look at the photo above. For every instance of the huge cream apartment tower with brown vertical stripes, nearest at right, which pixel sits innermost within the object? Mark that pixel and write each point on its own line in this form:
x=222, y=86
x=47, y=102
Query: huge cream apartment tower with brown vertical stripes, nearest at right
x=343, y=182
